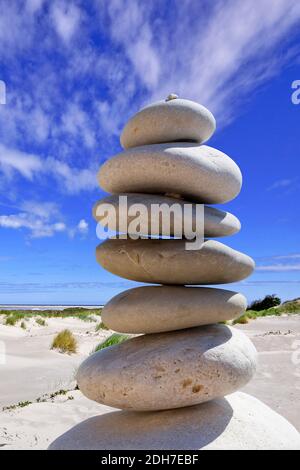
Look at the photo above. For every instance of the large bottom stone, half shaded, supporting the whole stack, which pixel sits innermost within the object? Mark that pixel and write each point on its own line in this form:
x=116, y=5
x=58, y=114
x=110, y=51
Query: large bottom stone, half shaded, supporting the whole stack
x=237, y=422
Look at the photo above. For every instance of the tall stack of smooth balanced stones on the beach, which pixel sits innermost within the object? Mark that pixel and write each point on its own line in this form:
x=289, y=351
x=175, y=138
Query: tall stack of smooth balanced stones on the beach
x=183, y=354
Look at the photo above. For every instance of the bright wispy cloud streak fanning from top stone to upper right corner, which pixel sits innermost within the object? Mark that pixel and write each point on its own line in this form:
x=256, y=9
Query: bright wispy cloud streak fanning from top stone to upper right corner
x=229, y=52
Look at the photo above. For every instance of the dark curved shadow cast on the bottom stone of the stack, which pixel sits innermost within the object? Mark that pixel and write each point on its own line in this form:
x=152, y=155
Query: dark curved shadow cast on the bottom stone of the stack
x=190, y=428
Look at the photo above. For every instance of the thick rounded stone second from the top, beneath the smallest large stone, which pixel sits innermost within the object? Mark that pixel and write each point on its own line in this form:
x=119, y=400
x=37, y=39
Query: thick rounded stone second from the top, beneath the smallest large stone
x=194, y=172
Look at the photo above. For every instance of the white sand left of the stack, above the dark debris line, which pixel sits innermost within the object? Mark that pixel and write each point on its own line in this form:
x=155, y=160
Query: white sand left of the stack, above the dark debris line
x=31, y=368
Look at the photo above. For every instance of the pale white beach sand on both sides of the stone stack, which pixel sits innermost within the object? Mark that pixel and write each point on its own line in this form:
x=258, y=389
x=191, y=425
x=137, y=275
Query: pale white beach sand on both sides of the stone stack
x=32, y=369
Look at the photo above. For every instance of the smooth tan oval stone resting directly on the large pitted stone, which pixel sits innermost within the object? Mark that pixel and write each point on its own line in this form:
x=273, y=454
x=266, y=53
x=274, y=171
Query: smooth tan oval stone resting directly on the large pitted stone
x=156, y=309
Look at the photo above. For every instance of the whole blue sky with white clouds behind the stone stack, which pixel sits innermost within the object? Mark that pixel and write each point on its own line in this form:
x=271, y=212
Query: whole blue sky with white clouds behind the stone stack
x=75, y=71
